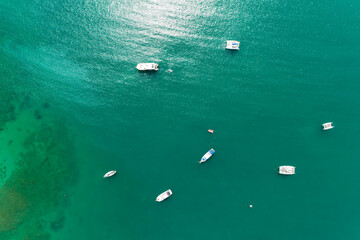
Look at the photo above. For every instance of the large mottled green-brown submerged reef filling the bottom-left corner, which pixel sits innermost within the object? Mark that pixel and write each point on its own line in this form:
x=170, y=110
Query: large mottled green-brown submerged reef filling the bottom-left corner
x=32, y=199
